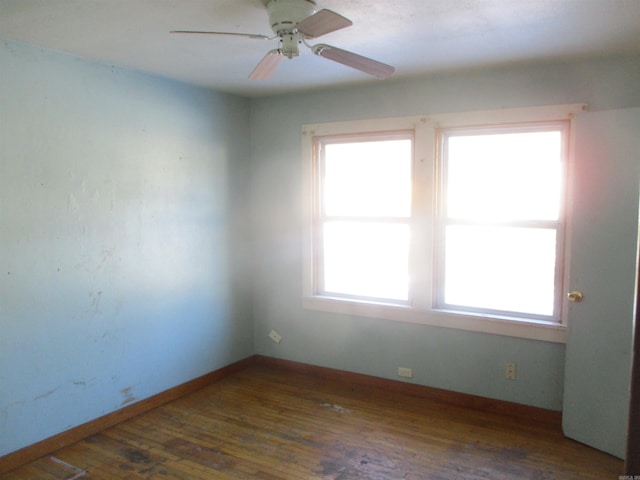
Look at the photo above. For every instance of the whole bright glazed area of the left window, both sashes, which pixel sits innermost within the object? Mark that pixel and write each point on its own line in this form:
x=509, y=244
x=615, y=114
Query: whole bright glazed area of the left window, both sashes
x=364, y=217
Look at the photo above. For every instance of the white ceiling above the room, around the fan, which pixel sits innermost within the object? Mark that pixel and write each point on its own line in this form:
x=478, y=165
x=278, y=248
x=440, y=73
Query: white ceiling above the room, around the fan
x=416, y=36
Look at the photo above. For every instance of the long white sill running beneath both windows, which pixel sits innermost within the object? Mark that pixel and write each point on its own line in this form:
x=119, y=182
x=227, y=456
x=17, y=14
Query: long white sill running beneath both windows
x=521, y=328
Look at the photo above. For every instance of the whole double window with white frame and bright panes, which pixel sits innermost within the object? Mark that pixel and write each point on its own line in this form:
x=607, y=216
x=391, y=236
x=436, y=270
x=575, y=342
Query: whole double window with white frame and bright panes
x=453, y=220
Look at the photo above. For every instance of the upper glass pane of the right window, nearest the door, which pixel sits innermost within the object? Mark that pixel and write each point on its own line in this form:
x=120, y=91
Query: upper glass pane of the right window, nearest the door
x=512, y=176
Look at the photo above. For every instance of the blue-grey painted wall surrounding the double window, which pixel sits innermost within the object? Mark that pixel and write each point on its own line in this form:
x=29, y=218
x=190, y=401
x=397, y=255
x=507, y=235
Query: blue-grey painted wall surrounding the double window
x=452, y=359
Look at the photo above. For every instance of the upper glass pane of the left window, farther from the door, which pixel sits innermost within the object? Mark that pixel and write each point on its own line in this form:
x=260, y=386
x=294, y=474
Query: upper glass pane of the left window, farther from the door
x=368, y=178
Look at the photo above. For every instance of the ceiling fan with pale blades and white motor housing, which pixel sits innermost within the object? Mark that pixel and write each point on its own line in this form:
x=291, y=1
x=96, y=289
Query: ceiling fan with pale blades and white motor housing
x=294, y=22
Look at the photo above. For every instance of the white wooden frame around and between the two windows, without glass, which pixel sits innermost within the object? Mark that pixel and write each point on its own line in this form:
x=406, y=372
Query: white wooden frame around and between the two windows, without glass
x=422, y=306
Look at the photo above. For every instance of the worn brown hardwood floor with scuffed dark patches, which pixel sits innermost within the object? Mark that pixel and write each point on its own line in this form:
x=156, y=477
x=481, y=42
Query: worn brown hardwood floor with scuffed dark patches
x=266, y=423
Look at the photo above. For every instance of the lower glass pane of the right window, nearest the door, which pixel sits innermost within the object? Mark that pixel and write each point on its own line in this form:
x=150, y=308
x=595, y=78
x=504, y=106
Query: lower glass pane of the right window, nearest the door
x=500, y=268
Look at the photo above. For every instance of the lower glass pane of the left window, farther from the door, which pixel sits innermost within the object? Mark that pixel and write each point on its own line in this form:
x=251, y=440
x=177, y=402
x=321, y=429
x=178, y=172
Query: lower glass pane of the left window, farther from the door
x=366, y=259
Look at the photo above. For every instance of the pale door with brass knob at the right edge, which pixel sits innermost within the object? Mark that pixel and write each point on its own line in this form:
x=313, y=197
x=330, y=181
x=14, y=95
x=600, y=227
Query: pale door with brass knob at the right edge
x=604, y=238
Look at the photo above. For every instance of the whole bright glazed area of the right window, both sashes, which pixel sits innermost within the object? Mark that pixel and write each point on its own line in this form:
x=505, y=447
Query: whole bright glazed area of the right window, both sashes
x=500, y=226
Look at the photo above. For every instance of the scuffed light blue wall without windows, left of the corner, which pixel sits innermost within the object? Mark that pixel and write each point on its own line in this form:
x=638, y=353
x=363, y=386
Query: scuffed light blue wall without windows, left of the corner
x=120, y=276
